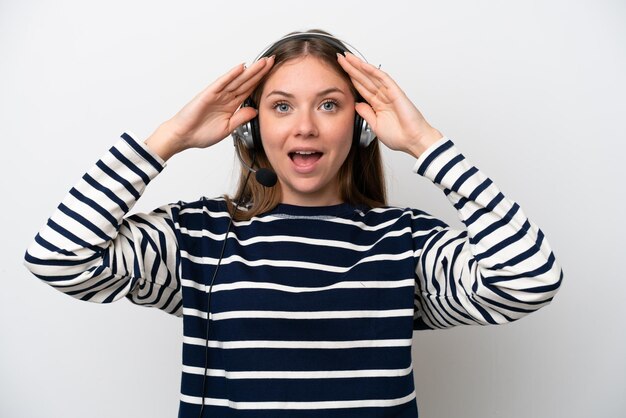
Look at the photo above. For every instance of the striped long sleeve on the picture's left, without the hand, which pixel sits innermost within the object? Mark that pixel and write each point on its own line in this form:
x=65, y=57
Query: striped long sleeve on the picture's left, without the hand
x=89, y=250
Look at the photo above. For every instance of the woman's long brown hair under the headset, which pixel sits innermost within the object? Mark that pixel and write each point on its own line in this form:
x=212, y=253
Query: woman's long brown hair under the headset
x=361, y=176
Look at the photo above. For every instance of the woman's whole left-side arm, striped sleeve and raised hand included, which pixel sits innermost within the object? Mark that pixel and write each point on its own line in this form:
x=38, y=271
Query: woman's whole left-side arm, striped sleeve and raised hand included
x=89, y=250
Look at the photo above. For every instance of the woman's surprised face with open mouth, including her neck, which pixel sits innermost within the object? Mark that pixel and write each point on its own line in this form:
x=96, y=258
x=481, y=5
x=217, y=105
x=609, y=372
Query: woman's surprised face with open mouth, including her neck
x=306, y=118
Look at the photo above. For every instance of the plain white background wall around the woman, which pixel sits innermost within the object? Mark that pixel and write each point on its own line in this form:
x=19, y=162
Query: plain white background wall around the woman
x=532, y=92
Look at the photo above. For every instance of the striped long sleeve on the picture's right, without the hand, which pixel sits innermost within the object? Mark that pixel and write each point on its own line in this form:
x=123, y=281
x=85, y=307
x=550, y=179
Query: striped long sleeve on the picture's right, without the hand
x=497, y=270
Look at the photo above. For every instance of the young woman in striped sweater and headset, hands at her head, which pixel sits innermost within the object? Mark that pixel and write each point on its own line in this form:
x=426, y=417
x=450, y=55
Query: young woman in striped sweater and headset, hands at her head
x=314, y=285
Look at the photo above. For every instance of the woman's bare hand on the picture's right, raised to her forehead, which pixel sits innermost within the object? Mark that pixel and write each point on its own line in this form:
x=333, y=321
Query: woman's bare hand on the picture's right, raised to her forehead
x=389, y=112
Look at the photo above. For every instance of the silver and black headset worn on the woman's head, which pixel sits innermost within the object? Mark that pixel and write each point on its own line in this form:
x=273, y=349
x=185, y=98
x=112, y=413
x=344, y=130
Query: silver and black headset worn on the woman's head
x=249, y=134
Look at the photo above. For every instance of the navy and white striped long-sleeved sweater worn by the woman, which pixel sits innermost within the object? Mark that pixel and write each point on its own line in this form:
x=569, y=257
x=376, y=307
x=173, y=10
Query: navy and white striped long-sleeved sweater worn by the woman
x=314, y=308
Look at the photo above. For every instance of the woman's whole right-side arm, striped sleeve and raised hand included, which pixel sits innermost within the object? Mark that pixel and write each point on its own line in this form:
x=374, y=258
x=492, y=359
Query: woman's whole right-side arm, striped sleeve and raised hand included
x=498, y=270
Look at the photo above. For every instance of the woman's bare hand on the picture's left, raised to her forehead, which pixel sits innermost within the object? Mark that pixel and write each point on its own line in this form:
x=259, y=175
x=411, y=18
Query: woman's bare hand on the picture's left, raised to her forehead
x=213, y=114
